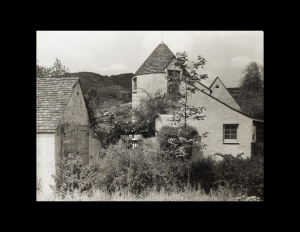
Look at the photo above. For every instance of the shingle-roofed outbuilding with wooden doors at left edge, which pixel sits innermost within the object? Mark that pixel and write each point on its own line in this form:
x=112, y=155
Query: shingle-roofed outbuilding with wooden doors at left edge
x=62, y=126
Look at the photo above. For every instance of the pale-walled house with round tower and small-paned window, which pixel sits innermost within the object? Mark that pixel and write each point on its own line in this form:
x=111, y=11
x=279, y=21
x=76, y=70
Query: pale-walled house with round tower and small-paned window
x=230, y=130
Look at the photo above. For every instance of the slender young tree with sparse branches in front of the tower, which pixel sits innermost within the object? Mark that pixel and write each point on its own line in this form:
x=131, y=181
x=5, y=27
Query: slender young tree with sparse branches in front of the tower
x=183, y=86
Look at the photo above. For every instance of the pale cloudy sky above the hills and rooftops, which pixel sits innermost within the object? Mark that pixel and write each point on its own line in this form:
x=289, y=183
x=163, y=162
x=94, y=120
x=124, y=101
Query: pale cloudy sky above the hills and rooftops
x=116, y=52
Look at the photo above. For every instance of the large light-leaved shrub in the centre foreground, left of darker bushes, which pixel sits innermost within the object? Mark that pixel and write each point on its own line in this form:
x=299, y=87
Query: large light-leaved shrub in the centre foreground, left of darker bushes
x=119, y=169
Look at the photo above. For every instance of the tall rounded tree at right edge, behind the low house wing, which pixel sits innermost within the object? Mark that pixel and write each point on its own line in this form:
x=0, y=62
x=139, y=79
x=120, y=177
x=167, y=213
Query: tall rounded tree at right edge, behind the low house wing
x=252, y=91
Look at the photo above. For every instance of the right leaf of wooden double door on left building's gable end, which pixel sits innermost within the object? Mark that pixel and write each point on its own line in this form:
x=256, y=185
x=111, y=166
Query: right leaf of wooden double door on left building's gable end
x=83, y=143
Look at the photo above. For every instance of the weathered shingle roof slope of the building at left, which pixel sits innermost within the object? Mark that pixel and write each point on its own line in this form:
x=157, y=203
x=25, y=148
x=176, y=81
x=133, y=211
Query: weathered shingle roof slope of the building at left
x=52, y=96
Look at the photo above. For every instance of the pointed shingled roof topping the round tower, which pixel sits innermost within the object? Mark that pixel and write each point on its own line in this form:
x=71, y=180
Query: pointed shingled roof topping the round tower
x=157, y=61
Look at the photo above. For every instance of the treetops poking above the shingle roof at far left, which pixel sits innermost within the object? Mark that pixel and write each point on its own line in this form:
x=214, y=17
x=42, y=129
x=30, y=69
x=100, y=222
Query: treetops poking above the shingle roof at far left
x=57, y=70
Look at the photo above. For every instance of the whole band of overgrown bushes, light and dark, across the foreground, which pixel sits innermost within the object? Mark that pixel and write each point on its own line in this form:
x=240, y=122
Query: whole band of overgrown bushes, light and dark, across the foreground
x=135, y=172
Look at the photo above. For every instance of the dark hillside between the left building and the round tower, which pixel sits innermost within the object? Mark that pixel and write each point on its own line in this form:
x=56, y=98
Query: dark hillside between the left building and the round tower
x=112, y=90
